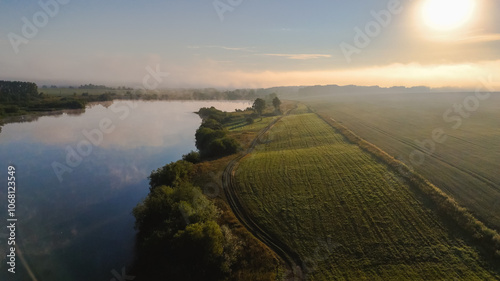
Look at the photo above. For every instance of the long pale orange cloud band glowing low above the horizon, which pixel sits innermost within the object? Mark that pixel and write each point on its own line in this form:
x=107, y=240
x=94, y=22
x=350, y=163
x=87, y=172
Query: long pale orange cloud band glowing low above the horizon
x=466, y=75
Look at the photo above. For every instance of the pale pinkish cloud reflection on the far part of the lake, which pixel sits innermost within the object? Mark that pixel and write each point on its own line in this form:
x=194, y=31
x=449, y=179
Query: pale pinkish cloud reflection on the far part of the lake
x=135, y=124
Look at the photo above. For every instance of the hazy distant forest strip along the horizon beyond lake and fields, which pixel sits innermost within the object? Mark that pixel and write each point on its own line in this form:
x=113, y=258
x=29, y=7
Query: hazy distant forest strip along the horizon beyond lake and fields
x=20, y=98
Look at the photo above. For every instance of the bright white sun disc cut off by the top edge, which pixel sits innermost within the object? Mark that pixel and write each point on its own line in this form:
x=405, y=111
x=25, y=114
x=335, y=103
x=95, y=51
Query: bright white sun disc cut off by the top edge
x=447, y=15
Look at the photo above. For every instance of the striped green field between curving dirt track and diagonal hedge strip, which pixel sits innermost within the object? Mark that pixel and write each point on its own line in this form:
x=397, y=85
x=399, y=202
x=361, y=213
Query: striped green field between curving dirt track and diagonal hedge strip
x=345, y=213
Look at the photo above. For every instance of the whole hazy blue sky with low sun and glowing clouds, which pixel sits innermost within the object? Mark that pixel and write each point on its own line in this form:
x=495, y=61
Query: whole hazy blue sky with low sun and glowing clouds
x=251, y=44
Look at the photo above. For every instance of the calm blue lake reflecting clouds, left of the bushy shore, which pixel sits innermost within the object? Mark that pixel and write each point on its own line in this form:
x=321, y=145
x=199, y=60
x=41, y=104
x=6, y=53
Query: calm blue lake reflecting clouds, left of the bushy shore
x=78, y=177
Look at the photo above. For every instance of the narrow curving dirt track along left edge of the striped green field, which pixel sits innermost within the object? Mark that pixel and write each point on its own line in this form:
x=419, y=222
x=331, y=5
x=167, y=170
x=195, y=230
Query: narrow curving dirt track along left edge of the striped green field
x=292, y=259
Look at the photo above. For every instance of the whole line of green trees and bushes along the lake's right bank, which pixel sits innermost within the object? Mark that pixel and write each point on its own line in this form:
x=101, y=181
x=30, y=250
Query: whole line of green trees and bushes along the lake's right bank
x=185, y=235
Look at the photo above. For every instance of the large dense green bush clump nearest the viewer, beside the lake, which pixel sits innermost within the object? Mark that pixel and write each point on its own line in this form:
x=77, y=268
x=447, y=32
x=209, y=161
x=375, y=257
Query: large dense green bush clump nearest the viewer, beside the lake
x=178, y=232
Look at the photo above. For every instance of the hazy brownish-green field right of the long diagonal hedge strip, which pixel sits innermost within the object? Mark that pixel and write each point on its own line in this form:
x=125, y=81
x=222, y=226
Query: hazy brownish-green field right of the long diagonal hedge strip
x=466, y=165
